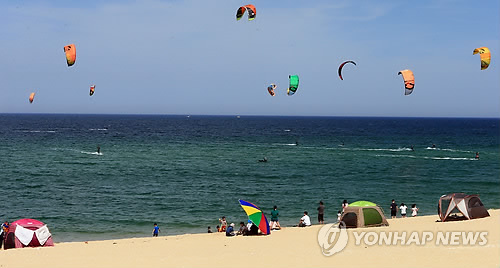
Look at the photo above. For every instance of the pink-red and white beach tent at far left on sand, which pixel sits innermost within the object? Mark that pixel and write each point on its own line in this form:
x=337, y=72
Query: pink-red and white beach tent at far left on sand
x=28, y=233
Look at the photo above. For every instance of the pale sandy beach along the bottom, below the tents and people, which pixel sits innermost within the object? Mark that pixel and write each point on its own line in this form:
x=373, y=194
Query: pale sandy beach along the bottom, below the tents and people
x=289, y=247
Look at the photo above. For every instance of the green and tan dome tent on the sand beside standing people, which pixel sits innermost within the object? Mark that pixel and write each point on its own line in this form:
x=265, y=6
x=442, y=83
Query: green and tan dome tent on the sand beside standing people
x=363, y=214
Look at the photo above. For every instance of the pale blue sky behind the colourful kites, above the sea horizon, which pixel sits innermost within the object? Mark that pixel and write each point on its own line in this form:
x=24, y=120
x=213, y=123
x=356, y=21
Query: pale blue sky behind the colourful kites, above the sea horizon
x=192, y=57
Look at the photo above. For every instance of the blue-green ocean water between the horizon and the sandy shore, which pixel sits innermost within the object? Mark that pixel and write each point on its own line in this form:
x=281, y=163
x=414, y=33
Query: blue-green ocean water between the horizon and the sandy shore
x=186, y=172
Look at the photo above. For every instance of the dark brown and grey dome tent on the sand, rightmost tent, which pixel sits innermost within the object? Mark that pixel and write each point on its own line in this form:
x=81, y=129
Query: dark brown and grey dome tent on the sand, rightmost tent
x=460, y=206
